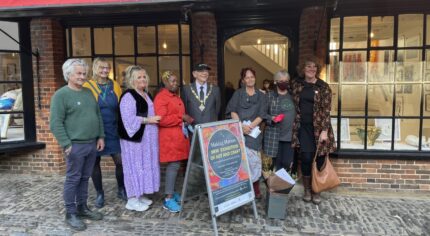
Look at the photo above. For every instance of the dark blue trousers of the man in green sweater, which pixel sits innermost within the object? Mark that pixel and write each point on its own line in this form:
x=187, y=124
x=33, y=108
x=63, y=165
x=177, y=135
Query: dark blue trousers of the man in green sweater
x=79, y=166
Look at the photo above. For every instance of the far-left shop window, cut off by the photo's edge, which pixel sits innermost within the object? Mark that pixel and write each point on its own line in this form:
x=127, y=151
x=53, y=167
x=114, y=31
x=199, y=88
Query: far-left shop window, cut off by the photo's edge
x=16, y=122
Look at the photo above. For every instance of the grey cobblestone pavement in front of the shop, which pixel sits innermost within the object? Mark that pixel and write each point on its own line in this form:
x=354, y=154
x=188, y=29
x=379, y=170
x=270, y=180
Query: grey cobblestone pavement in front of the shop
x=33, y=205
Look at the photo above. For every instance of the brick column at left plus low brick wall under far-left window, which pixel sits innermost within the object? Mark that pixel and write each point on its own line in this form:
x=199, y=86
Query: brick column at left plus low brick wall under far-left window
x=47, y=35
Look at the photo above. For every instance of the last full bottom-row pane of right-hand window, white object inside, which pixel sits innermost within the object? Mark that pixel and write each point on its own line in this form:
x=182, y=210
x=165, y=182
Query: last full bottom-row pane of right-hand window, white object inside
x=408, y=134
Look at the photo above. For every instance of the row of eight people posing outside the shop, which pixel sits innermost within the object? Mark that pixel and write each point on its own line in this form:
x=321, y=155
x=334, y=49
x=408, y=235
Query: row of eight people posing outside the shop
x=93, y=117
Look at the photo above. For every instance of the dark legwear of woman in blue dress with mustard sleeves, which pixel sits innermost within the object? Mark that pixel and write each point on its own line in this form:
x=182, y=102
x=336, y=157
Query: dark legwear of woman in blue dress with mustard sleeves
x=97, y=173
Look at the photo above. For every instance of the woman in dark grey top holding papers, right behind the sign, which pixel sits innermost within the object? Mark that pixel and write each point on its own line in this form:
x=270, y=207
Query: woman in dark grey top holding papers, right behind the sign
x=248, y=105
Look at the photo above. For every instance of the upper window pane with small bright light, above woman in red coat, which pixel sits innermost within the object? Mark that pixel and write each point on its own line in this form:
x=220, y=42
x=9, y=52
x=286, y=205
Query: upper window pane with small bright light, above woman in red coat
x=168, y=39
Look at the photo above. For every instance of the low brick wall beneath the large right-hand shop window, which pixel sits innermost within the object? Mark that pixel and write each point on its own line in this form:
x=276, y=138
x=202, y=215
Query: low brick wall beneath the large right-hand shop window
x=384, y=175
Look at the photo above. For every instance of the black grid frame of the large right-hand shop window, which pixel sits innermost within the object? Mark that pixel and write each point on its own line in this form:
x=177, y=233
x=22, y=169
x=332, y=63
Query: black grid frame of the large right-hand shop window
x=391, y=153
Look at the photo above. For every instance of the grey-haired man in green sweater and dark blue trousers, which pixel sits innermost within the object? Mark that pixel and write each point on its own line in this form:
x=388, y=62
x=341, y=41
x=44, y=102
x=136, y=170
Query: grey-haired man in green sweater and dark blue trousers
x=77, y=125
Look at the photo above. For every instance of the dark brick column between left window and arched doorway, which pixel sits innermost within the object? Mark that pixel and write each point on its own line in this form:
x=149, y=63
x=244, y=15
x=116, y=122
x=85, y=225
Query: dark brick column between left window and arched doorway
x=205, y=35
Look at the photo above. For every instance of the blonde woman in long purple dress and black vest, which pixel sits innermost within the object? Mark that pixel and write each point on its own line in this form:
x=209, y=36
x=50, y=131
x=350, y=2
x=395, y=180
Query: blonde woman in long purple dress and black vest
x=138, y=131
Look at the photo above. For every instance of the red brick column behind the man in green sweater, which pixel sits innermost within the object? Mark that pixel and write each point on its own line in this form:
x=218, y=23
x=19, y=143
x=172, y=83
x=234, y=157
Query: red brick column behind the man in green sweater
x=47, y=35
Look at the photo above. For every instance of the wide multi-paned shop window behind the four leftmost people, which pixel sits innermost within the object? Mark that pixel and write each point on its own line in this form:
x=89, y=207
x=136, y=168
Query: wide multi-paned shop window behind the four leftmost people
x=154, y=47
